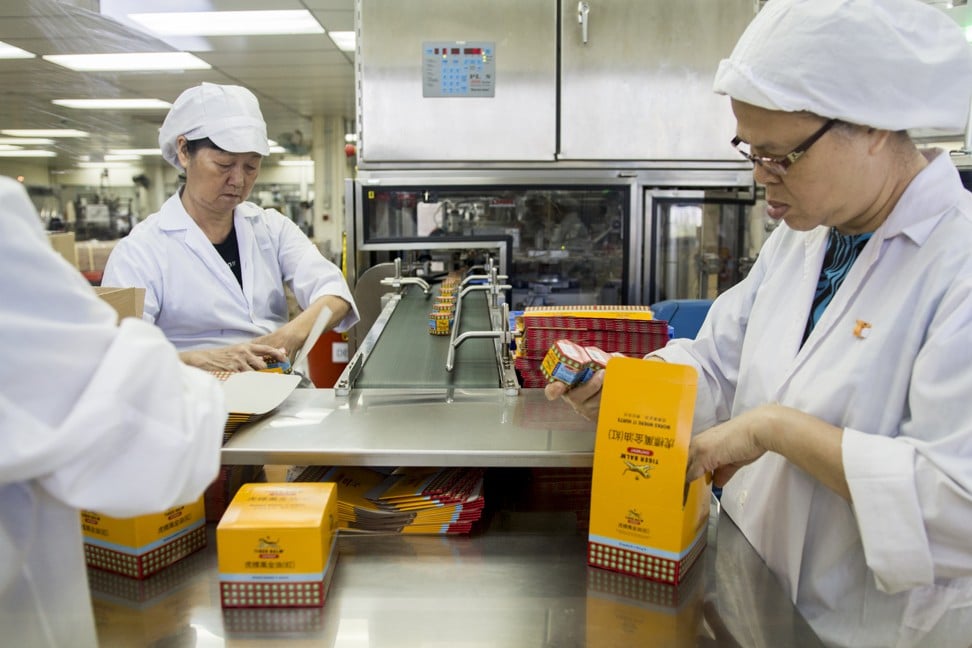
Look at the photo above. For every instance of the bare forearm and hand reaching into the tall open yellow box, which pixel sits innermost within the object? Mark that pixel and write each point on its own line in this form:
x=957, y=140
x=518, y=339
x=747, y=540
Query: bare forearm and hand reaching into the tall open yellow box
x=804, y=440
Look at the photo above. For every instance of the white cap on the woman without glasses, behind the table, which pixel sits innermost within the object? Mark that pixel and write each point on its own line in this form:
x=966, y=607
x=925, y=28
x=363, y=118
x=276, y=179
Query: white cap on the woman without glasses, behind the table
x=228, y=115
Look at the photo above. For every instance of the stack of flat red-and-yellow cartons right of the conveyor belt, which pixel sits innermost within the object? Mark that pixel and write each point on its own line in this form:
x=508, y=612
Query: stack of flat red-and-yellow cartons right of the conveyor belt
x=629, y=330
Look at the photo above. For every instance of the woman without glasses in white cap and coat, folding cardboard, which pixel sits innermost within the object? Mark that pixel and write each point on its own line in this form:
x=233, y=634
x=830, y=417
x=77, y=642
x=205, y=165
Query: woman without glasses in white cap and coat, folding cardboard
x=213, y=265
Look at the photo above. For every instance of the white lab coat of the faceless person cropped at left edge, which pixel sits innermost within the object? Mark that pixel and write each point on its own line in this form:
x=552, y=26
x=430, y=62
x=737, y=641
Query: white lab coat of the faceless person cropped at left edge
x=92, y=416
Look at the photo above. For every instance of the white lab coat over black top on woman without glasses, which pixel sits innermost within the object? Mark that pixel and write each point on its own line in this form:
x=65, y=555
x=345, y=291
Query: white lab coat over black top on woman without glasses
x=193, y=296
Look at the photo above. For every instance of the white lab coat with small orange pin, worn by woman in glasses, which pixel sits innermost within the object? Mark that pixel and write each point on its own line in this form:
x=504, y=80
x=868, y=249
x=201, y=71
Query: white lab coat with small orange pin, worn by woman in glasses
x=900, y=555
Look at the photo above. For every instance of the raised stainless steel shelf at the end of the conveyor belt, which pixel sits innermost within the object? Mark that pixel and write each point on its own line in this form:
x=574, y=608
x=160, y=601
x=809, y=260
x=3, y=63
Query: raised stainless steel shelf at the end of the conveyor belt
x=433, y=427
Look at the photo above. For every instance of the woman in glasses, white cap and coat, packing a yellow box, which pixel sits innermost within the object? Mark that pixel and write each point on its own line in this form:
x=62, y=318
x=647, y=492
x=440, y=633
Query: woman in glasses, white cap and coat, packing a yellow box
x=835, y=381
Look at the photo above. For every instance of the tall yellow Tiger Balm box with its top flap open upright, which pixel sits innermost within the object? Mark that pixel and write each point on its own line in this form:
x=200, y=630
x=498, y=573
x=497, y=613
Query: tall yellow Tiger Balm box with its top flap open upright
x=645, y=521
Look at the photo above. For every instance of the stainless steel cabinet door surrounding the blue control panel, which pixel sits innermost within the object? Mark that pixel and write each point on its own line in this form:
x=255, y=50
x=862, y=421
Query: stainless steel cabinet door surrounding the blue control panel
x=398, y=122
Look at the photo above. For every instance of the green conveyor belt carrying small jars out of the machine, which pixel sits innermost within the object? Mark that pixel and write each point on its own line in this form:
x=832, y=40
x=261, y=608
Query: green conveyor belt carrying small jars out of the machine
x=406, y=355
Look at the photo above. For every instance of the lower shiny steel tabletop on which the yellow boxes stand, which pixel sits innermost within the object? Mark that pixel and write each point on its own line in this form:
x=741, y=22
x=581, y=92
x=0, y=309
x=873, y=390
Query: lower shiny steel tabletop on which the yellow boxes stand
x=510, y=587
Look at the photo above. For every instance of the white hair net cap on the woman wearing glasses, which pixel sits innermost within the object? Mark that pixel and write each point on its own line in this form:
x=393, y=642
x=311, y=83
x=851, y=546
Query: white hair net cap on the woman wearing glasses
x=889, y=64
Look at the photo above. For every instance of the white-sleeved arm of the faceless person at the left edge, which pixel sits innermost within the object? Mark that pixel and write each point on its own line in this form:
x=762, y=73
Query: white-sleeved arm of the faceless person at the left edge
x=102, y=416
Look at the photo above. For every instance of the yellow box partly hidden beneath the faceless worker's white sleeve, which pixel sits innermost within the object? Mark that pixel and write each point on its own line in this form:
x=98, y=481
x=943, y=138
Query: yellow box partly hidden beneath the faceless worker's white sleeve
x=140, y=546
